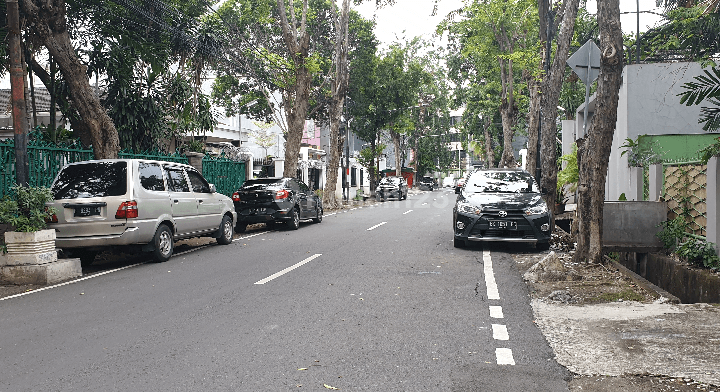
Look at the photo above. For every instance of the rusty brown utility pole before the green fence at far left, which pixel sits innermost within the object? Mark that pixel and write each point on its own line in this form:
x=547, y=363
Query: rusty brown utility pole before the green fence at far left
x=17, y=88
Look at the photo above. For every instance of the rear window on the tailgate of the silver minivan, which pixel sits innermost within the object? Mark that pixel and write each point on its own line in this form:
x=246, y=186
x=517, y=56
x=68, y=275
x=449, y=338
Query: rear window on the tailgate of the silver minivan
x=93, y=179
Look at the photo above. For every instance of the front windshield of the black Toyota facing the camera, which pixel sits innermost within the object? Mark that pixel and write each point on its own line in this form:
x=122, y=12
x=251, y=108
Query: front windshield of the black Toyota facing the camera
x=501, y=182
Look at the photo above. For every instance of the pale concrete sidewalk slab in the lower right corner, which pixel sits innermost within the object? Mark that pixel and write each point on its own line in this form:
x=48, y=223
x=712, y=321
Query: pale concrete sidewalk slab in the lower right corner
x=633, y=338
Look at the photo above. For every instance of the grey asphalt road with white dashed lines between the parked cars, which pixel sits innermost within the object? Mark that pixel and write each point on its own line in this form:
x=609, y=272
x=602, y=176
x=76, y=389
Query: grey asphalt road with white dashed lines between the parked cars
x=372, y=299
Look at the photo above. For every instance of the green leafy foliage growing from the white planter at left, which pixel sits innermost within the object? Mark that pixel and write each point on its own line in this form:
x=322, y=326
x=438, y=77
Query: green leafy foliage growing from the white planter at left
x=25, y=209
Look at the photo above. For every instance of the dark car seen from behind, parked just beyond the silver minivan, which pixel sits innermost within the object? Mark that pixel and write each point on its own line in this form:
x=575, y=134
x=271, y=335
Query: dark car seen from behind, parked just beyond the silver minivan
x=274, y=200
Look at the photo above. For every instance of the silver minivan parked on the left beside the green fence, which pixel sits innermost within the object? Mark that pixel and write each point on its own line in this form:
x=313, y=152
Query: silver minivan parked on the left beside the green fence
x=142, y=204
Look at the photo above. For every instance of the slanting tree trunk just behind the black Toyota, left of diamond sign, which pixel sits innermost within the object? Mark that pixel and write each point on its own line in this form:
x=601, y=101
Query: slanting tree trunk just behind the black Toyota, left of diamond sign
x=552, y=85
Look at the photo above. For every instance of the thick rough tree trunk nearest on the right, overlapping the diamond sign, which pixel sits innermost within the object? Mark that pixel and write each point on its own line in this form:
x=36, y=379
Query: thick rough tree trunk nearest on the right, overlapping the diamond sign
x=596, y=151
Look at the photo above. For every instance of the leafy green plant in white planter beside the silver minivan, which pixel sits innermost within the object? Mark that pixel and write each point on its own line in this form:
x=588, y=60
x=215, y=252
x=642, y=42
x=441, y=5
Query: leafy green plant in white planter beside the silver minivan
x=24, y=211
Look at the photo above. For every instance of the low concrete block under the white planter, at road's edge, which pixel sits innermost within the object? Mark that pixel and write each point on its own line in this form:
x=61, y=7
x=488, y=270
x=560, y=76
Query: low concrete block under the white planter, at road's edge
x=44, y=274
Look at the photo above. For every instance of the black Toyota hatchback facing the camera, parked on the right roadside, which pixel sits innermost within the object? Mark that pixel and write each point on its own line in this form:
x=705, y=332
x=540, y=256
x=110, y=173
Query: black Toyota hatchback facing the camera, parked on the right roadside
x=501, y=205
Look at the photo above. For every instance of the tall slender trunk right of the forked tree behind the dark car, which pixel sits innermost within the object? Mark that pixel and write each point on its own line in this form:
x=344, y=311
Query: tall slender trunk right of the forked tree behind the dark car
x=339, y=90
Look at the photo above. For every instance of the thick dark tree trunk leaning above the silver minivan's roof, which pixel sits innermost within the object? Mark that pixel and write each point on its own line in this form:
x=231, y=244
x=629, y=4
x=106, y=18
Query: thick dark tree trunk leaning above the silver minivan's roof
x=47, y=22
